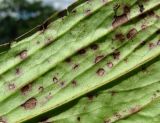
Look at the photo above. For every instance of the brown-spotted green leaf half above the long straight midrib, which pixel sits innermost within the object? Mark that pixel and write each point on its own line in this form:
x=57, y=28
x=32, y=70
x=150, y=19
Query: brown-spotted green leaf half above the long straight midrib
x=35, y=70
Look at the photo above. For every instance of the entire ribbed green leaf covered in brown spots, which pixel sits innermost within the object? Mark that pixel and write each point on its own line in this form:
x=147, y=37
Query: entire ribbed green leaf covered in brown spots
x=97, y=62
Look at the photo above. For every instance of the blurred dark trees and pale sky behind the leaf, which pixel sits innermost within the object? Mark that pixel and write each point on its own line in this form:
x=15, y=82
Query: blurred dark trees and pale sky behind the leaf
x=19, y=16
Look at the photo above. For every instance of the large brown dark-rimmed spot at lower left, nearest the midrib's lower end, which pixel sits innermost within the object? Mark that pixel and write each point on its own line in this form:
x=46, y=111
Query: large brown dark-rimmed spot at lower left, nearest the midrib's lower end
x=30, y=104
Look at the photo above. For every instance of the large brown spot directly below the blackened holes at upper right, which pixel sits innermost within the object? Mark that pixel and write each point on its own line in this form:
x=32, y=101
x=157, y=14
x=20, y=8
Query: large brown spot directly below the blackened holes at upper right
x=118, y=20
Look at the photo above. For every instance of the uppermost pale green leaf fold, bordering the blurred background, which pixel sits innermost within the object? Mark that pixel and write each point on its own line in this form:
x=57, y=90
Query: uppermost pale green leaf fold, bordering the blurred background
x=47, y=34
